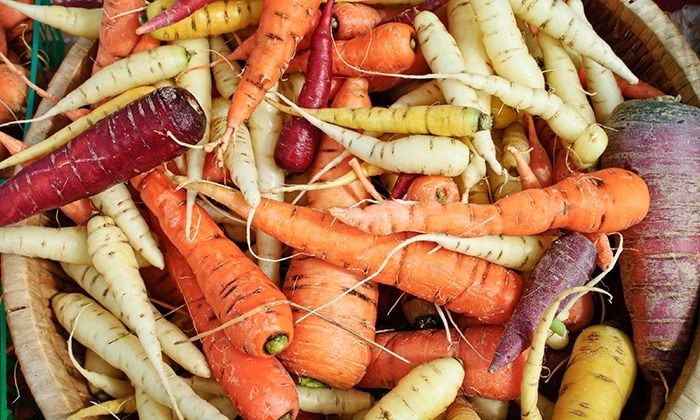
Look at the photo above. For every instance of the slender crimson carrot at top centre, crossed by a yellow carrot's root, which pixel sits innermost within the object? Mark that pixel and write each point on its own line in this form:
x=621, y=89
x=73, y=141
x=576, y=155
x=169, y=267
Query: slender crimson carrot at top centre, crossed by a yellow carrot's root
x=296, y=148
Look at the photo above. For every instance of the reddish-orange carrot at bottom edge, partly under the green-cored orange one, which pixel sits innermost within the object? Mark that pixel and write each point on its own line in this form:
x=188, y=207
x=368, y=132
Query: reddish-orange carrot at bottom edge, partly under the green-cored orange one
x=259, y=388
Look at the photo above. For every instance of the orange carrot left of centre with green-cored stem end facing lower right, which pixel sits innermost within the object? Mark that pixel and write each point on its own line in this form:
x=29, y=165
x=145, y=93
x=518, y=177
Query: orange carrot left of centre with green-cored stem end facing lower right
x=232, y=283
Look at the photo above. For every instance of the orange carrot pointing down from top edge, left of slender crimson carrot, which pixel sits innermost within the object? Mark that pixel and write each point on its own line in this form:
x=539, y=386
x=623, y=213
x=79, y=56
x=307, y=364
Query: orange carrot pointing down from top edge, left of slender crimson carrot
x=282, y=25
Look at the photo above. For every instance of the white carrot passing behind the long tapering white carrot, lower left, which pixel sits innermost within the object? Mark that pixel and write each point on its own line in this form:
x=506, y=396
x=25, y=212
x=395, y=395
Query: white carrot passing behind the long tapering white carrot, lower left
x=174, y=342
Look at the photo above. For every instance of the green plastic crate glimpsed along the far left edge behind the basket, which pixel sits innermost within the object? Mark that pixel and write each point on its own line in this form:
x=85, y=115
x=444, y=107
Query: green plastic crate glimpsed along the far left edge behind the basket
x=48, y=47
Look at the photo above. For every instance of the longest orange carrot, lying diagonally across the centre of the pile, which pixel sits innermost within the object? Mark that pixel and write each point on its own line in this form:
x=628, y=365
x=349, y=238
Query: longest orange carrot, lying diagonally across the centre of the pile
x=462, y=283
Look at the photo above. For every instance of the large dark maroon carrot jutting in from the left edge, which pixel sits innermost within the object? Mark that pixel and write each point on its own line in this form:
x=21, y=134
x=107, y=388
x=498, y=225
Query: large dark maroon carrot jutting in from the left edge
x=130, y=141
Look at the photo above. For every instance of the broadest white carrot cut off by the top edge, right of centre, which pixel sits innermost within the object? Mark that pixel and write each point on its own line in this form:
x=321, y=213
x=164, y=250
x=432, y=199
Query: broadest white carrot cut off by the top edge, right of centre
x=504, y=43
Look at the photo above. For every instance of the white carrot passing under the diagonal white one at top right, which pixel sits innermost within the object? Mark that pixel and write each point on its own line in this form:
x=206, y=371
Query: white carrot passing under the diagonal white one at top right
x=600, y=81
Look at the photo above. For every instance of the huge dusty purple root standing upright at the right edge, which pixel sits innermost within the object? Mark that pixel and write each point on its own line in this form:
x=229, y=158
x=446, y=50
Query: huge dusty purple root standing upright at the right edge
x=660, y=264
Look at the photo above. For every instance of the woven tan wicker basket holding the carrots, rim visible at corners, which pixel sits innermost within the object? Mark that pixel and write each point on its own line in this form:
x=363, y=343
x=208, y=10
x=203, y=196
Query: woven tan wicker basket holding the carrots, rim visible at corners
x=636, y=29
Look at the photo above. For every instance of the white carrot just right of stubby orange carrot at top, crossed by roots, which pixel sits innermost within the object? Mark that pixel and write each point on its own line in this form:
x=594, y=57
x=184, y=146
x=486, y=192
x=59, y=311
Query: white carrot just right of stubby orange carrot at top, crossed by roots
x=441, y=52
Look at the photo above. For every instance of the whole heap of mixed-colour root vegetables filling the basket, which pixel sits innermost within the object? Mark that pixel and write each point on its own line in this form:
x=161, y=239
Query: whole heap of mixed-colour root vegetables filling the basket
x=389, y=209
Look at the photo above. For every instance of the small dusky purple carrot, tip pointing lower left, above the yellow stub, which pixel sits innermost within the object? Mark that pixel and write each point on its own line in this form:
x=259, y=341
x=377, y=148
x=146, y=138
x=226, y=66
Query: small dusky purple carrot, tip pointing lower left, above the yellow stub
x=567, y=263
